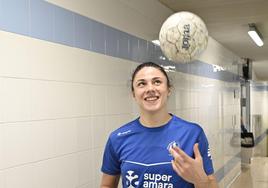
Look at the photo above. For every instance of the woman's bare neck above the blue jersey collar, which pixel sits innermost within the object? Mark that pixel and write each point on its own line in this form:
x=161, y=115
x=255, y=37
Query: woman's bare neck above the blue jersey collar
x=155, y=119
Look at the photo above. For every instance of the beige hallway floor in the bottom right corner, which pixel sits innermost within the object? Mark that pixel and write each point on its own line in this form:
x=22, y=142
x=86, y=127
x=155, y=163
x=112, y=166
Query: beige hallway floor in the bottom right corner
x=254, y=176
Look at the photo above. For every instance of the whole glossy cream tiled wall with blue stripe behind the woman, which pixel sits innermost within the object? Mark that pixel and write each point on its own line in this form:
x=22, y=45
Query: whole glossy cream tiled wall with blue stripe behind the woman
x=64, y=85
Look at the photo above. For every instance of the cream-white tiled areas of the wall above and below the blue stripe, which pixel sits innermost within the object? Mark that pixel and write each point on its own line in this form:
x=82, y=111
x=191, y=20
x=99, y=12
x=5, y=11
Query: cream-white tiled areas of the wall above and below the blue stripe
x=58, y=103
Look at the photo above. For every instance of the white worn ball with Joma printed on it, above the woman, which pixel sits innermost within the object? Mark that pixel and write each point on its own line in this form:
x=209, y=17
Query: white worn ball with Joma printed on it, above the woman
x=183, y=37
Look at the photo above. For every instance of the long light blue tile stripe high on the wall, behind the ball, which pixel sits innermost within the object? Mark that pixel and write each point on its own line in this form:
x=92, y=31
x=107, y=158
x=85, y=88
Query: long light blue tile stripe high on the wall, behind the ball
x=43, y=20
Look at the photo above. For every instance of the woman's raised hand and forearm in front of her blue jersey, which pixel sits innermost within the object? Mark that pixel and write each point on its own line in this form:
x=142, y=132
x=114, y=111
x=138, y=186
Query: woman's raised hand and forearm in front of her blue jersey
x=191, y=169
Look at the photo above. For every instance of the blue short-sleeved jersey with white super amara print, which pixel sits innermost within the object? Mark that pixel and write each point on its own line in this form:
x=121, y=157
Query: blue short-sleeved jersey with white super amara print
x=141, y=154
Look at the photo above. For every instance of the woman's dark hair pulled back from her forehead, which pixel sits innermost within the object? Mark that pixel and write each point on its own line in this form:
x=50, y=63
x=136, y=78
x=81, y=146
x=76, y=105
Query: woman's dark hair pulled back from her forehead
x=149, y=64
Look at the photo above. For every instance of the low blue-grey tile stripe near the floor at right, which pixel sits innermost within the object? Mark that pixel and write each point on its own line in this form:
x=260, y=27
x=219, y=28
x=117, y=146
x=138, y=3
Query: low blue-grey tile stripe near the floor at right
x=224, y=170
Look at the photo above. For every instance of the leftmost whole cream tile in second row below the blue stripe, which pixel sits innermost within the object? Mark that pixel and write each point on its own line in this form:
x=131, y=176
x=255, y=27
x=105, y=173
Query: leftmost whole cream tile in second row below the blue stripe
x=50, y=100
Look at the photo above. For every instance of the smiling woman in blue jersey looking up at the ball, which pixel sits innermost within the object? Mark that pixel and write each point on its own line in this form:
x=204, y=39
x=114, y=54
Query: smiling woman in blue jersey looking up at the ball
x=157, y=149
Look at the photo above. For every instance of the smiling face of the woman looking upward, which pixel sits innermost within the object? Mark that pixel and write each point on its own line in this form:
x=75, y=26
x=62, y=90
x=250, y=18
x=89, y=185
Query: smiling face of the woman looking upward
x=150, y=90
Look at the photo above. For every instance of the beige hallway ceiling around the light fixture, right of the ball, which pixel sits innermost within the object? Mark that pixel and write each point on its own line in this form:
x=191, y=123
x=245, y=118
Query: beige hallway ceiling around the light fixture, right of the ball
x=227, y=22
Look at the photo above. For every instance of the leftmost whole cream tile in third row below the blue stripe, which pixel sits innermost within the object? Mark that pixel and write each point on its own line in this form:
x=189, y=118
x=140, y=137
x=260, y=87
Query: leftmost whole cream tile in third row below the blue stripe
x=27, y=142
